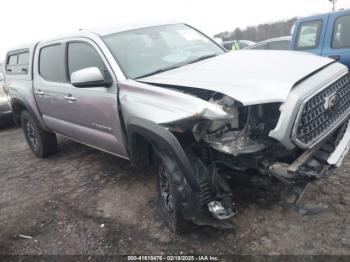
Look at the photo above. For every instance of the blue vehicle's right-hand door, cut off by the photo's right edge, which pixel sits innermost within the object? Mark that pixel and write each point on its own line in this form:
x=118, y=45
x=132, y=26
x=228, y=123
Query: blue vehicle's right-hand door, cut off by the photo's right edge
x=337, y=41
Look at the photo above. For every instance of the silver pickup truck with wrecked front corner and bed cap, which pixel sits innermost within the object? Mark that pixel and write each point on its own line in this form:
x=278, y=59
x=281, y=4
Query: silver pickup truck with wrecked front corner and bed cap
x=165, y=94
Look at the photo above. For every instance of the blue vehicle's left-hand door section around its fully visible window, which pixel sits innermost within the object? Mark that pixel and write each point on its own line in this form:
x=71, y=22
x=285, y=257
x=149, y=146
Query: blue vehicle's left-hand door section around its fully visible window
x=309, y=34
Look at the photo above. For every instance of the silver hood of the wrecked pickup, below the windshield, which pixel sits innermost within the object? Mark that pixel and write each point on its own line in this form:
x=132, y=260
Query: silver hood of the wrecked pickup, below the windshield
x=249, y=76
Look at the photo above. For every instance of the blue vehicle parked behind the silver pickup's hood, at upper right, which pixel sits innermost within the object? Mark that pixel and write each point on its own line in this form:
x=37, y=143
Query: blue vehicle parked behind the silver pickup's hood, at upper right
x=325, y=35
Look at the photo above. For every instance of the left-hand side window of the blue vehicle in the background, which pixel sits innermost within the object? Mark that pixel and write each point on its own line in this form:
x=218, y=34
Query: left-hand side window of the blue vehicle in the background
x=309, y=34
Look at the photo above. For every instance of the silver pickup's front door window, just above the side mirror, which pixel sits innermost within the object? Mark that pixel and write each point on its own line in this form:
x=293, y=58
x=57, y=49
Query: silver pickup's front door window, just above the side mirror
x=82, y=55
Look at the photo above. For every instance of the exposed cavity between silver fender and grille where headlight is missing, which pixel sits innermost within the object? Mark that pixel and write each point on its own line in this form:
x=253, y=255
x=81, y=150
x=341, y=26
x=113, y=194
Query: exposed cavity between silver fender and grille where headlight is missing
x=244, y=133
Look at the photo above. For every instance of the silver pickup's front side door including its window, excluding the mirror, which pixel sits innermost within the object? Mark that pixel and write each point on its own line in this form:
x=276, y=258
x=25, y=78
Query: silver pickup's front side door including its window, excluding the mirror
x=95, y=115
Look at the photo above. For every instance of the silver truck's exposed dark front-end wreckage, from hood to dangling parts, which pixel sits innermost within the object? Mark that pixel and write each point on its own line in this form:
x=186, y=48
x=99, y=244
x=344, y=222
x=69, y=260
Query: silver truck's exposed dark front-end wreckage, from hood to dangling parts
x=241, y=143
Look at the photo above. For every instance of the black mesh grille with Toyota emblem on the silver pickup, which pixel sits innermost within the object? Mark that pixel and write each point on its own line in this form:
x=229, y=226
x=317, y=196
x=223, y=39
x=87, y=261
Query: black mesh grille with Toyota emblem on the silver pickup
x=322, y=112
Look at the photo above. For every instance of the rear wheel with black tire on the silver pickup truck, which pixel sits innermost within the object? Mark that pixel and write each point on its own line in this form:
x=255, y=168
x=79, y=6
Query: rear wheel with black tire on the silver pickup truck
x=42, y=143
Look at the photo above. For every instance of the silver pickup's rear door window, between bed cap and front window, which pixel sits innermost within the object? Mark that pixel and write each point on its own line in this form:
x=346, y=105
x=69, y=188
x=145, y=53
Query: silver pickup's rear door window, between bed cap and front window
x=52, y=63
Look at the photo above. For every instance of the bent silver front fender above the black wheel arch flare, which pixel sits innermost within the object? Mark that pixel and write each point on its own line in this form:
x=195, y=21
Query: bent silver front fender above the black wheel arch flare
x=163, y=105
